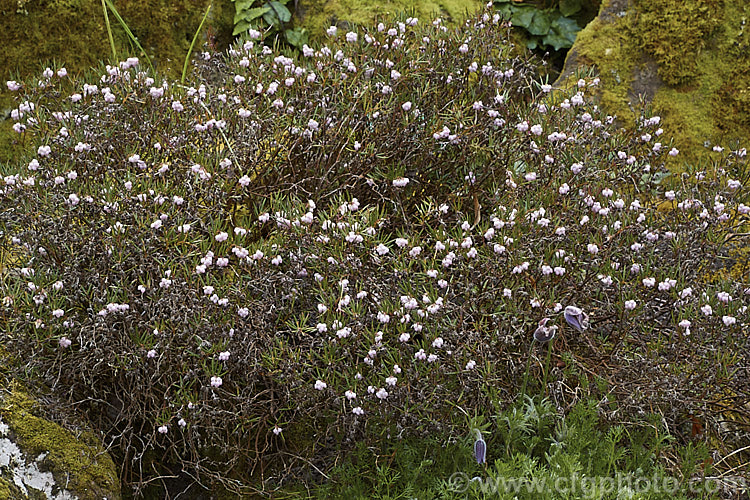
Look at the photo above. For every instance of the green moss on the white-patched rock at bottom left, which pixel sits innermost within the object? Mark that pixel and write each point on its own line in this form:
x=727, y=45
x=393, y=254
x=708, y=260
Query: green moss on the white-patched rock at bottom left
x=81, y=462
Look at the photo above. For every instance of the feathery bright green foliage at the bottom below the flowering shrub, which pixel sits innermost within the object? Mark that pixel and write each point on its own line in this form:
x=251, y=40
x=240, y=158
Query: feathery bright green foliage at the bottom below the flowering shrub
x=533, y=452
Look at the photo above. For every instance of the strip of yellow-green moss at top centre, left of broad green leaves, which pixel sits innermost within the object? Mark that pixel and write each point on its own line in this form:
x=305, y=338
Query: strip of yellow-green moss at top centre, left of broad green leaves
x=317, y=15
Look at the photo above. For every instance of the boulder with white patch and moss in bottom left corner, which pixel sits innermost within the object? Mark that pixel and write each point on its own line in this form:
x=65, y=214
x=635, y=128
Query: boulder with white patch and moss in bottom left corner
x=41, y=459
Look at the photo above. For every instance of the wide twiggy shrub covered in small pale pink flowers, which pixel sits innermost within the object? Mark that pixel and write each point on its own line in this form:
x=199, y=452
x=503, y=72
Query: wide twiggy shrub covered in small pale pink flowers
x=293, y=253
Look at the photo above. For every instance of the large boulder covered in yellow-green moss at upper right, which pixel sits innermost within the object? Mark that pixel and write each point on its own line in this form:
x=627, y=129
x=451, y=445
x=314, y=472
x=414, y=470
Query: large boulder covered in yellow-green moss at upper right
x=688, y=59
